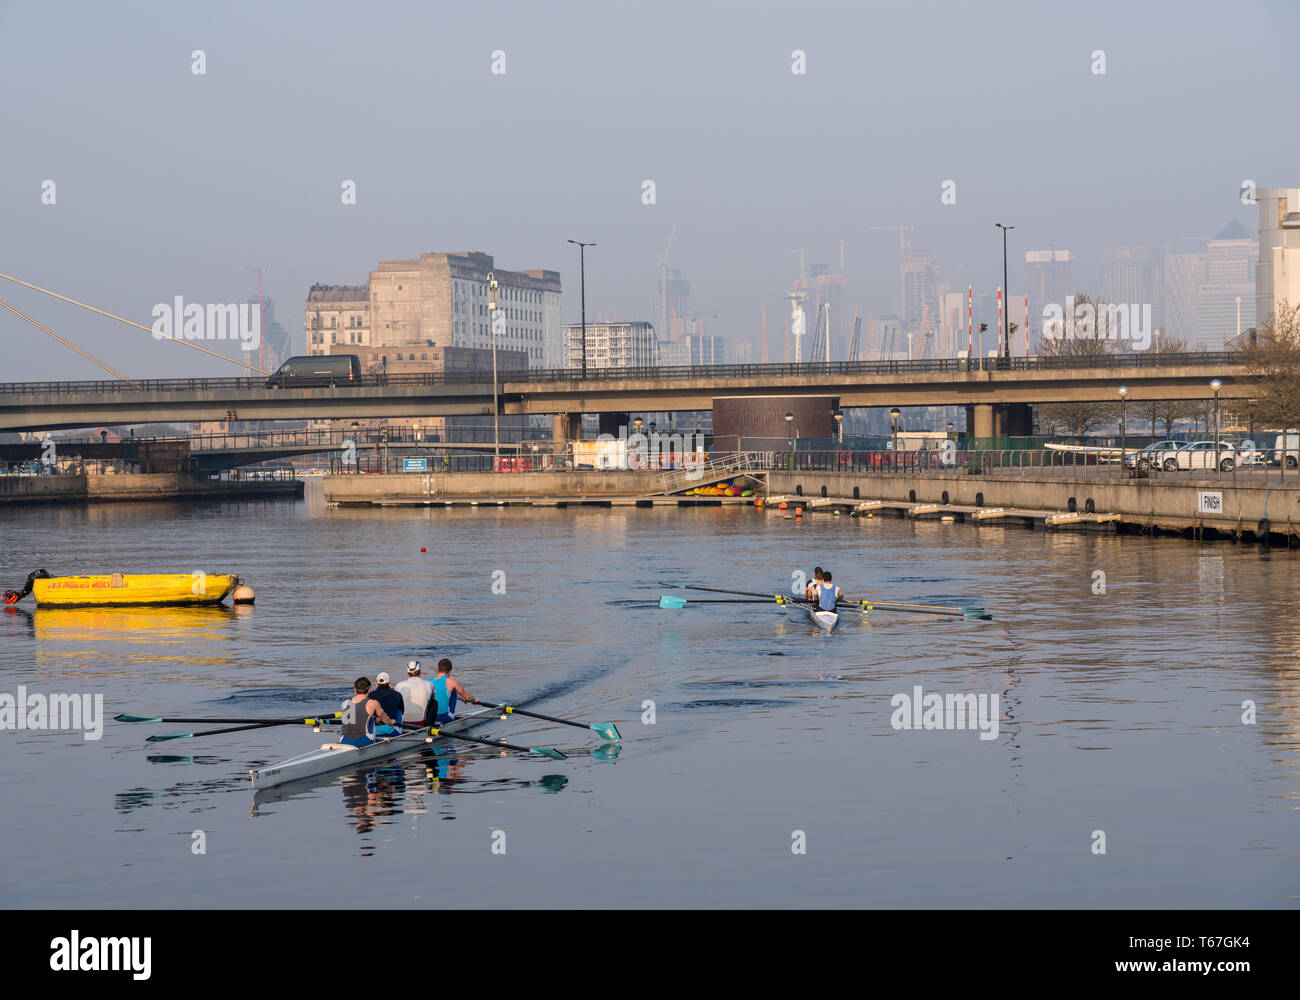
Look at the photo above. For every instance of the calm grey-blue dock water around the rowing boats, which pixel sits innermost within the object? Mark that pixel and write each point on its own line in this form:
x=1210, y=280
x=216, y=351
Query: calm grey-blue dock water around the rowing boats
x=1120, y=715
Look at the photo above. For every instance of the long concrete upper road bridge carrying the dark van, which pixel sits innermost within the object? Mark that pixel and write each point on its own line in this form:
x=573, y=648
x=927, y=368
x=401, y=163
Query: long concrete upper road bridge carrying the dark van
x=998, y=396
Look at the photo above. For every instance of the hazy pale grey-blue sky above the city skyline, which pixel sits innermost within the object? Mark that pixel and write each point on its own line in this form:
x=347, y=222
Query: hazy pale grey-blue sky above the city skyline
x=172, y=184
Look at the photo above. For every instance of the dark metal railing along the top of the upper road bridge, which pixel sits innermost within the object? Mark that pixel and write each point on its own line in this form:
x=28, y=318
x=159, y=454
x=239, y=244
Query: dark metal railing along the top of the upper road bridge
x=941, y=366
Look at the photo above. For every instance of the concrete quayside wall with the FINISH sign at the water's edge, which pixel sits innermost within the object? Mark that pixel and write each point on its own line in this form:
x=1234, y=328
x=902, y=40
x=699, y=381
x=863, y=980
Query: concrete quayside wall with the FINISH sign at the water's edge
x=1247, y=507
